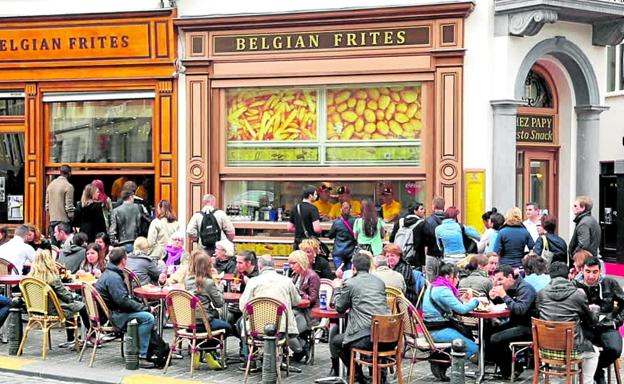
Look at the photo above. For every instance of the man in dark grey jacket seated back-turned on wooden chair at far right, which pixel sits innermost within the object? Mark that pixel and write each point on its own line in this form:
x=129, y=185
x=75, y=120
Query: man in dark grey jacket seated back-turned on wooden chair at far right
x=560, y=300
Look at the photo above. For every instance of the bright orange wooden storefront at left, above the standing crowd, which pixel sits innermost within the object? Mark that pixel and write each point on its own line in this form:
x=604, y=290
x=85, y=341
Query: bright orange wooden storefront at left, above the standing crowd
x=95, y=91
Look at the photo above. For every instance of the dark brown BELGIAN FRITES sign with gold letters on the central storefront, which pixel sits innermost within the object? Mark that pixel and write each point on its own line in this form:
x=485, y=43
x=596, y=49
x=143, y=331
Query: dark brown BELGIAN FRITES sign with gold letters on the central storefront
x=325, y=40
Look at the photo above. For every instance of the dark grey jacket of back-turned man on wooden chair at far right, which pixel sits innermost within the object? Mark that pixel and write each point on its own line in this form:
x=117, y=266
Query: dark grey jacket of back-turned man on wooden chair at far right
x=560, y=300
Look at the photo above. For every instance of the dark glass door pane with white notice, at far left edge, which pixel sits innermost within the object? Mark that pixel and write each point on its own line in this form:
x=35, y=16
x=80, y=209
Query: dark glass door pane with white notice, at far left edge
x=11, y=178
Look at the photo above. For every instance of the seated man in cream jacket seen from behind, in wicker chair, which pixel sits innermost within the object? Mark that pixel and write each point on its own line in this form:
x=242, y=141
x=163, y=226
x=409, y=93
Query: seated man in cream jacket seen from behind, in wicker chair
x=271, y=284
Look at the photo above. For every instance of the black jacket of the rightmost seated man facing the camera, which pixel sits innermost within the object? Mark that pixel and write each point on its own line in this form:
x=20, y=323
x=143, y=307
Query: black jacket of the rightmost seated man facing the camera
x=606, y=294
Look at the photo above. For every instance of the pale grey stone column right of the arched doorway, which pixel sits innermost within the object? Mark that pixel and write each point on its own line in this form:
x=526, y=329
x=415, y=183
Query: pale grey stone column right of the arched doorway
x=587, y=153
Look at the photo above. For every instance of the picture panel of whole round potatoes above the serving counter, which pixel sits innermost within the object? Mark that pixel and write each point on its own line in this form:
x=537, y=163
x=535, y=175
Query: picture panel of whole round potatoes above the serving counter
x=378, y=113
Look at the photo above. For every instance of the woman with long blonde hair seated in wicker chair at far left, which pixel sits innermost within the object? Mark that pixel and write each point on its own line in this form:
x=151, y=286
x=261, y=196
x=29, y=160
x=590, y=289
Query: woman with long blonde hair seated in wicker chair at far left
x=44, y=268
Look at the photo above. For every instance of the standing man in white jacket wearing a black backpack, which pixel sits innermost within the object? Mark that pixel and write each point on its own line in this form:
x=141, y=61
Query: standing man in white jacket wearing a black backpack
x=210, y=225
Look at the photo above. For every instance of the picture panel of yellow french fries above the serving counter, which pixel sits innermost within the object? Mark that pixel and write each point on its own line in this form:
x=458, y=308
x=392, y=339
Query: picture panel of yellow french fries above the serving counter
x=271, y=114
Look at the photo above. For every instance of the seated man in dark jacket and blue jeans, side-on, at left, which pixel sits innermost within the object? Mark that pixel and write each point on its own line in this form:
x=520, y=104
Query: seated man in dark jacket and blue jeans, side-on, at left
x=123, y=307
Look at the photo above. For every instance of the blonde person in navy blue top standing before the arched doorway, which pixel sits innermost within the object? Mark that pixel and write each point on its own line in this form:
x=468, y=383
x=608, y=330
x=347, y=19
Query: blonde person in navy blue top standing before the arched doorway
x=513, y=239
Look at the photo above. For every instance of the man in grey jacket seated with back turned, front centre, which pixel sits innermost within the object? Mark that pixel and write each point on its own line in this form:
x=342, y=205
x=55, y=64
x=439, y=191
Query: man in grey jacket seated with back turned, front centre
x=363, y=296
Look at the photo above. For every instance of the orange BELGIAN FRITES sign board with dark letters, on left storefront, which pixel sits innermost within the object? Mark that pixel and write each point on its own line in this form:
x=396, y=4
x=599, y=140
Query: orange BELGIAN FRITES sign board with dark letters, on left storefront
x=74, y=42
